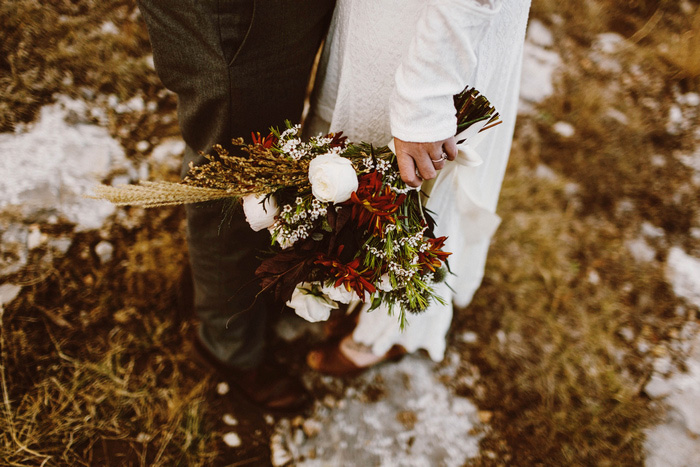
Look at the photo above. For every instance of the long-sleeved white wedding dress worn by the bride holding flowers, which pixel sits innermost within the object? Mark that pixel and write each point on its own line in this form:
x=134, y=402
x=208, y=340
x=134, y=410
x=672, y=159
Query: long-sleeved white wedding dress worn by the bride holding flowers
x=390, y=68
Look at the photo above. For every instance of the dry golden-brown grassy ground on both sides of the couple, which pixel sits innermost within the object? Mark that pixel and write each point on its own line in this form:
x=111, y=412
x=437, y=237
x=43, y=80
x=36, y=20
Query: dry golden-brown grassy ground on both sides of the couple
x=92, y=358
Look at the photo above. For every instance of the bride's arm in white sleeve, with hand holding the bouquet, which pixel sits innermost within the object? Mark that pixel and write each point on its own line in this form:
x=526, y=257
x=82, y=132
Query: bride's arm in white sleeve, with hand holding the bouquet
x=438, y=64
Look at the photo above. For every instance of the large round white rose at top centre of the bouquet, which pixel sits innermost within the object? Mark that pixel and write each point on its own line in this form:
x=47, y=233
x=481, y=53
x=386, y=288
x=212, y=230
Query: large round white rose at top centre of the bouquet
x=332, y=178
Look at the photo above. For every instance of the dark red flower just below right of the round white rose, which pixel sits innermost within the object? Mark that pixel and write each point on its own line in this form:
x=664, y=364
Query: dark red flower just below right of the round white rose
x=375, y=204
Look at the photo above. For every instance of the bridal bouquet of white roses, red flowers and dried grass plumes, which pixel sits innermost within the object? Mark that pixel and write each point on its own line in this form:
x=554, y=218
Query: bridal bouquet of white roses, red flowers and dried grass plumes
x=343, y=224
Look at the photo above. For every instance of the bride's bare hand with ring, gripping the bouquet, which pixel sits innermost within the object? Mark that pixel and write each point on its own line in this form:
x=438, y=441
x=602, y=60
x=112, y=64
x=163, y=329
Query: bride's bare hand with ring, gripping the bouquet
x=421, y=161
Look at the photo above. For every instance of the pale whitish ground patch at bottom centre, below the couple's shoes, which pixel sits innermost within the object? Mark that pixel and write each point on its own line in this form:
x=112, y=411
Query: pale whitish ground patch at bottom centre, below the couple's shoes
x=416, y=421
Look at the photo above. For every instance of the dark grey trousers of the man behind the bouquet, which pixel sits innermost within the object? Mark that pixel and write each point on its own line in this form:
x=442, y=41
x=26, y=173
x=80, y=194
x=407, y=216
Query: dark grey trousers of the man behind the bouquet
x=237, y=66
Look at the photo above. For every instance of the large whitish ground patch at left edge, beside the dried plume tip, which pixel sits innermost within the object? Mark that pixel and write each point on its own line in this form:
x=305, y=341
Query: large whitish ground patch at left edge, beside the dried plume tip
x=47, y=167
